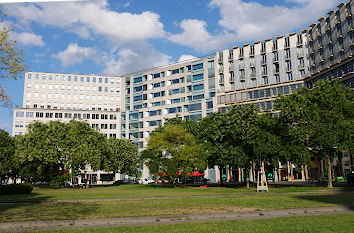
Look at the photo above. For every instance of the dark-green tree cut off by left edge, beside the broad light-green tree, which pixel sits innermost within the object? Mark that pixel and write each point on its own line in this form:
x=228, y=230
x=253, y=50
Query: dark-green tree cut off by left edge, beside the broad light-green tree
x=8, y=162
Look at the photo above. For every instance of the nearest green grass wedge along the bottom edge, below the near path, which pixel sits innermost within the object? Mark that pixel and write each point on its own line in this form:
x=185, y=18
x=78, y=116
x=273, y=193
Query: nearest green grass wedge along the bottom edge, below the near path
x=329, y=223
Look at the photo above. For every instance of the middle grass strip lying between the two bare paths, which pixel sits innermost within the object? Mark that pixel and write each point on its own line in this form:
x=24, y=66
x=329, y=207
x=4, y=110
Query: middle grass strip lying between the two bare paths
x=173, y=206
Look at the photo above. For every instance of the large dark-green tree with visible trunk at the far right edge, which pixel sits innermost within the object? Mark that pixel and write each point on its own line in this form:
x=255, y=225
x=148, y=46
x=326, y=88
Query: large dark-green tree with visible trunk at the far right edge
x=325, y=116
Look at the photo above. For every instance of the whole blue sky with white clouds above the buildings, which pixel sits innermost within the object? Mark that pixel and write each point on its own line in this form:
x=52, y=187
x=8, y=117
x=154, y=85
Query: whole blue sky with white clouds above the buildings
x=116, y=37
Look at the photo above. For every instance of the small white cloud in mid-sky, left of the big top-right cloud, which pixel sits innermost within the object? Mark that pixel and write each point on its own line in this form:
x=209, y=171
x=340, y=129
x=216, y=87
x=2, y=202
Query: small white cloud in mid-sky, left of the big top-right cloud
x=195, y=35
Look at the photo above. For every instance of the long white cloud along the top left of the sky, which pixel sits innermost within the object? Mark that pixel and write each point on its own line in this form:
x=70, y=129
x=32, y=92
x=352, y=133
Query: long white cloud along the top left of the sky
x=91, y=17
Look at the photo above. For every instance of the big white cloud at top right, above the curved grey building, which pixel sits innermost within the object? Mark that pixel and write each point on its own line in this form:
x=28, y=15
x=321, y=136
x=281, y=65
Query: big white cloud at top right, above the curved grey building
x=253, y=21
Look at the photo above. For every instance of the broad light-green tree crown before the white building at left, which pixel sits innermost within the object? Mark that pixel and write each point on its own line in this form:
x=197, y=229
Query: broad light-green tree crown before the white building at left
x=57, y=147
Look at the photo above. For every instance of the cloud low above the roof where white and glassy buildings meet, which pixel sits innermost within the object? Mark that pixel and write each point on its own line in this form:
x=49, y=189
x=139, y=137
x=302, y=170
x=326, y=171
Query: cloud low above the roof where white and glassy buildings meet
x=134, y=59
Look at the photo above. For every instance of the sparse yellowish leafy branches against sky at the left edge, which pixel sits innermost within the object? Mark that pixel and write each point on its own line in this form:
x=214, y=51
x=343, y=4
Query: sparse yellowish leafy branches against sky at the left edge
x=11, y=61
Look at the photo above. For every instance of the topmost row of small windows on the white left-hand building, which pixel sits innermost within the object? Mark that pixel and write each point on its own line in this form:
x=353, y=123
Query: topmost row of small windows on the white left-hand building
x=73, y=78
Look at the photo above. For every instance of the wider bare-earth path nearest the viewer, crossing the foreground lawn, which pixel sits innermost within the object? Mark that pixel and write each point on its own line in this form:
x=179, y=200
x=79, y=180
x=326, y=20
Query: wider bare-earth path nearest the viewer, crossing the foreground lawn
x=170, y=219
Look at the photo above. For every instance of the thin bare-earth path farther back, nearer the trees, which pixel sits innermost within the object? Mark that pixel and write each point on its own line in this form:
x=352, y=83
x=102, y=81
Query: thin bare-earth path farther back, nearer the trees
x=164, y=197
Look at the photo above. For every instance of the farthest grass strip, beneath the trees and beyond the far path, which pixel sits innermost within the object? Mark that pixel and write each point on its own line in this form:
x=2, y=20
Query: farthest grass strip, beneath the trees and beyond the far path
x=145, y=191
